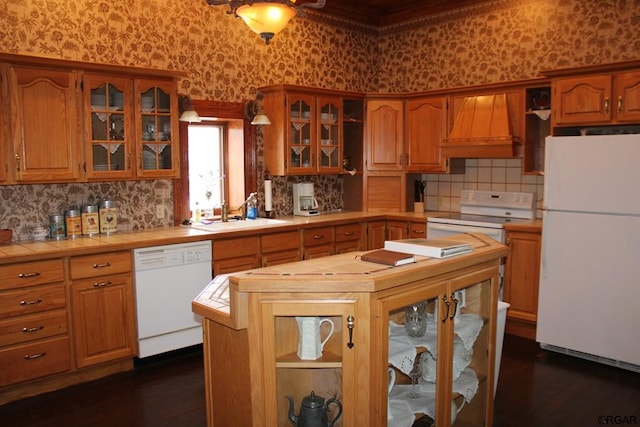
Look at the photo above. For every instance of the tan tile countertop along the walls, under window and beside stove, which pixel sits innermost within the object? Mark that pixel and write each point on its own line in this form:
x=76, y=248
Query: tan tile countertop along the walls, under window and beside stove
x=36, y=250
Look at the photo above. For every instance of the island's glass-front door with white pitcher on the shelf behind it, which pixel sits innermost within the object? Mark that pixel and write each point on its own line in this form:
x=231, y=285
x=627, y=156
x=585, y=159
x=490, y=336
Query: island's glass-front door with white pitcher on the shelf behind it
x=296, y=365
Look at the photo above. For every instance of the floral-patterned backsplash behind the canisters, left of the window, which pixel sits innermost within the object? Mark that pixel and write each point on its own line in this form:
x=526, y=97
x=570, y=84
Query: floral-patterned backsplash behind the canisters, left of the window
x=24, y=207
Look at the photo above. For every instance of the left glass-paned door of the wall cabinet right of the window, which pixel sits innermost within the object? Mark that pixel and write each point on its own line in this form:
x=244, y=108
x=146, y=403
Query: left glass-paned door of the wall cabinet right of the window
x=302, y=137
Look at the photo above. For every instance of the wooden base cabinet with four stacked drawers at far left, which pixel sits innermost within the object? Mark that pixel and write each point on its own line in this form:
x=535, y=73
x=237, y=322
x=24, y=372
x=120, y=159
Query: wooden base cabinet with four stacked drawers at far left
x=34, y=333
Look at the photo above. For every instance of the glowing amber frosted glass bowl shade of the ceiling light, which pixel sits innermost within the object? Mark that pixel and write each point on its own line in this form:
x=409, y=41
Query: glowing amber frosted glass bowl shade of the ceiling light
x=266, y=18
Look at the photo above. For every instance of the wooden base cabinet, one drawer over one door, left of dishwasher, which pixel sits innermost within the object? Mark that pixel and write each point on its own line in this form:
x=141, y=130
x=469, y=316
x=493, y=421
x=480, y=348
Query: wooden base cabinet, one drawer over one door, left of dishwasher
x=102, y=308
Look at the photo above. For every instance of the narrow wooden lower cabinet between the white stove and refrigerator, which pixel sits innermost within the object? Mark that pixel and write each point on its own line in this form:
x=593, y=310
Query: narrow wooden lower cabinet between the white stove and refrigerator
x=521, y=276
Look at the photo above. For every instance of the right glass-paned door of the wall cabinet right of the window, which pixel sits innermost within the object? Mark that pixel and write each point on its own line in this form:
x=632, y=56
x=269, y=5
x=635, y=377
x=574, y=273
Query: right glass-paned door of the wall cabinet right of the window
x=329, y=135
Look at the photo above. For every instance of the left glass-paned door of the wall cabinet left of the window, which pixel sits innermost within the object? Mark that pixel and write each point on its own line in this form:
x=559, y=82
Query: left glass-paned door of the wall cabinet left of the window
x=109, y=133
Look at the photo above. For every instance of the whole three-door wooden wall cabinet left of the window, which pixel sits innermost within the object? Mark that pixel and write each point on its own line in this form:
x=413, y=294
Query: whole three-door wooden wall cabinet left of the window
x=68, y=121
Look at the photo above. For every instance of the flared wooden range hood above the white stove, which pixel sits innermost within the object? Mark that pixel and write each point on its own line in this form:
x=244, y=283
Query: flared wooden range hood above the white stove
x=482, y=129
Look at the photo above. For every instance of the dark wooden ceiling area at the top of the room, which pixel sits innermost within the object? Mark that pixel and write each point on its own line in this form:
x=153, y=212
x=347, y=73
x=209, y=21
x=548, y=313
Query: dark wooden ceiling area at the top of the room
x=381, y=13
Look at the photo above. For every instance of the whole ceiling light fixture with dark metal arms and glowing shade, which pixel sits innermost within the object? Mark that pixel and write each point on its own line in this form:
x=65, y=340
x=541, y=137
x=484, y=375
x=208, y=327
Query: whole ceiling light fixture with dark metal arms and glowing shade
x=266, y=18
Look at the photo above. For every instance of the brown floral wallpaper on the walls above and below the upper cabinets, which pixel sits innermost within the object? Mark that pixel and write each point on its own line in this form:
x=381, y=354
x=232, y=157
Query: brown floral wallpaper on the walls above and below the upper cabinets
x=499, y=40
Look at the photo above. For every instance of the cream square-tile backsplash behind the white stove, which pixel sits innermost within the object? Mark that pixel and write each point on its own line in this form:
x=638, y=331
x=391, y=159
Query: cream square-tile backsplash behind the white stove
x=443, y=191
